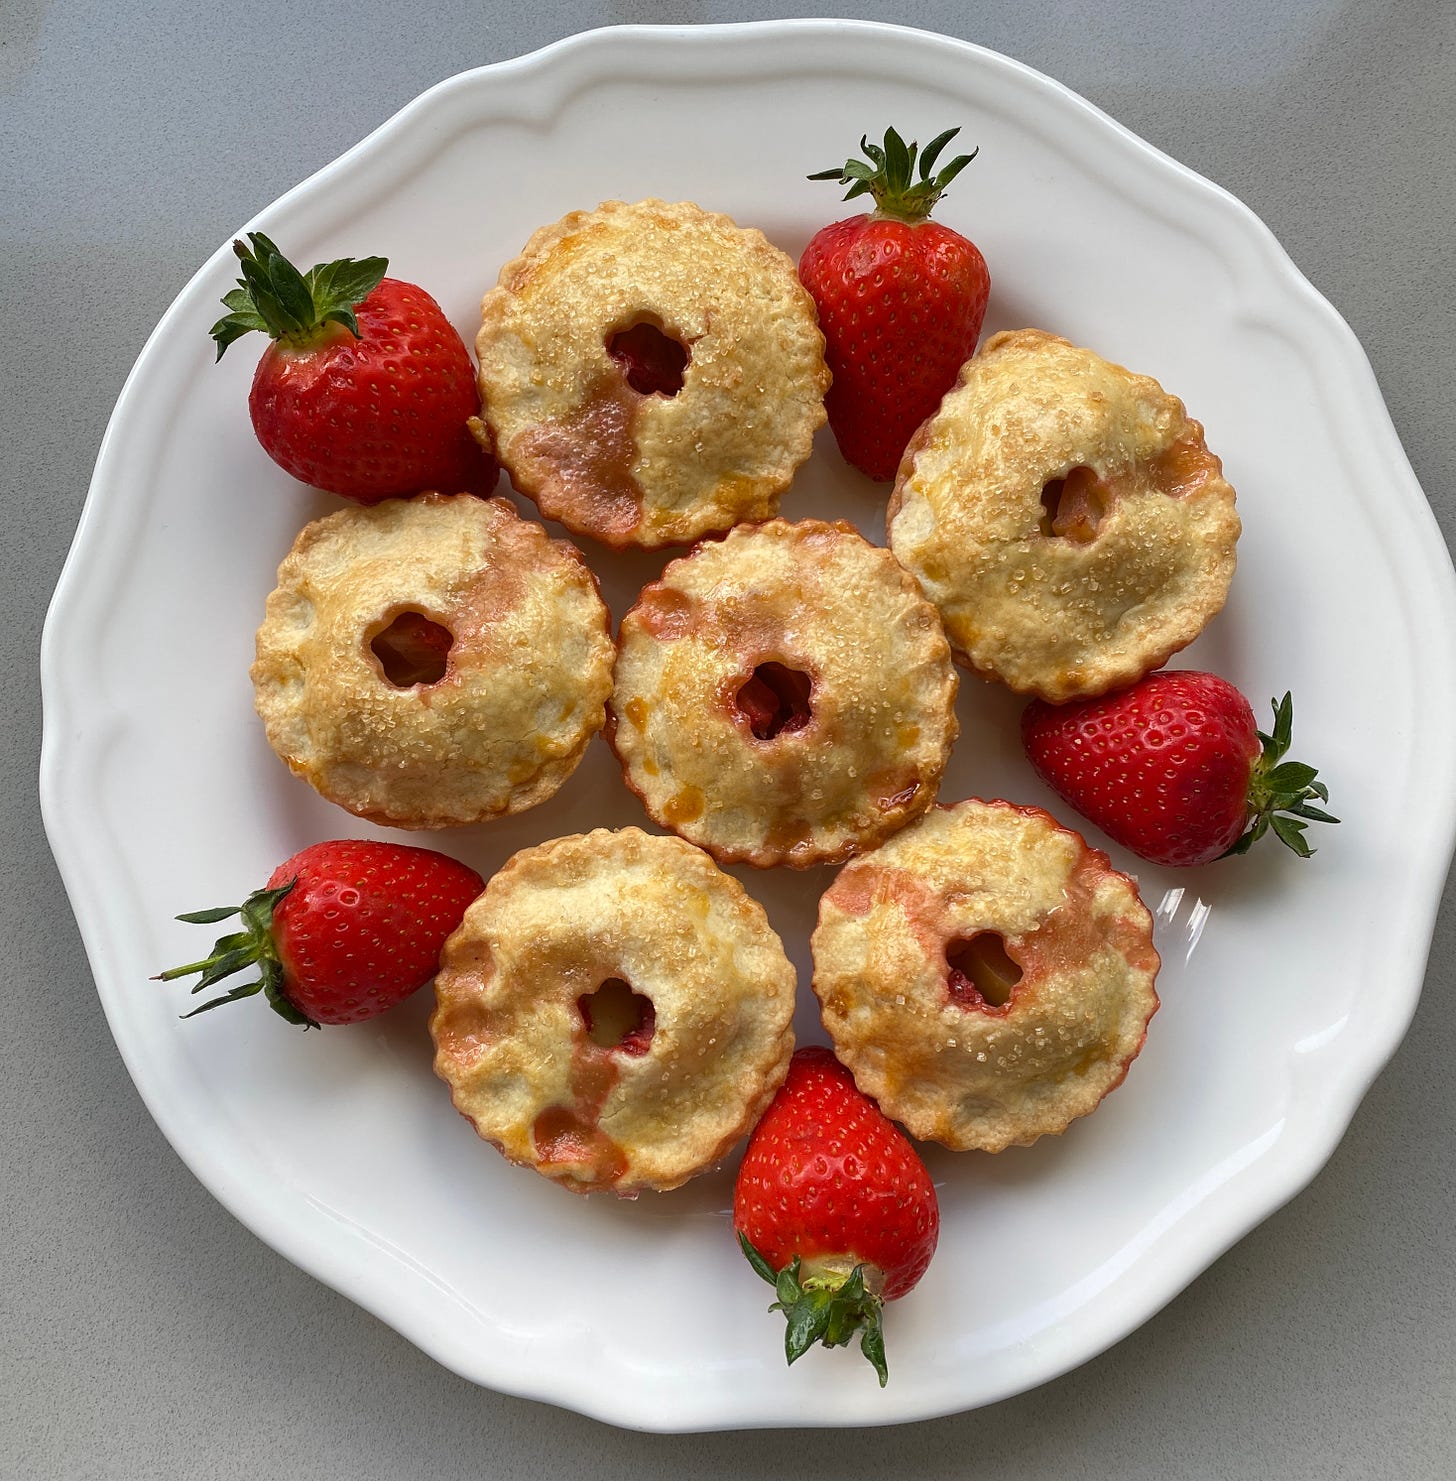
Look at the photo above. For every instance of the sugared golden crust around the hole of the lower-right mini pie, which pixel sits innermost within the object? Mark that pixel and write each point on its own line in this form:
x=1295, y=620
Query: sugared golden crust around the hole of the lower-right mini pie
x=986, y=1077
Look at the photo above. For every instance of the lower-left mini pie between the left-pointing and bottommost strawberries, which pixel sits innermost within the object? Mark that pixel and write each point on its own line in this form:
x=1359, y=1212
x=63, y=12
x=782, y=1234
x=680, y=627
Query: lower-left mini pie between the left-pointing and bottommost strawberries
x=614, y=1012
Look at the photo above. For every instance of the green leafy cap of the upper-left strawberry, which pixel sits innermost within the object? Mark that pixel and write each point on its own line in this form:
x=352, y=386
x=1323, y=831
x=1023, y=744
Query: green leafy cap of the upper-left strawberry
x=291, y=307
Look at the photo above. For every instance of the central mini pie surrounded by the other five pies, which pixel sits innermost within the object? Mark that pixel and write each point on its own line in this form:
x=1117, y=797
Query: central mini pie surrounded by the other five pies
x=784, y=695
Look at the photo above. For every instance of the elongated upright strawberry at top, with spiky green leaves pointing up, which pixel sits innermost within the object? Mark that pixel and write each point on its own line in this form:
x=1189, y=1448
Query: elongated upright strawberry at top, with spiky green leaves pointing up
x=900, y=298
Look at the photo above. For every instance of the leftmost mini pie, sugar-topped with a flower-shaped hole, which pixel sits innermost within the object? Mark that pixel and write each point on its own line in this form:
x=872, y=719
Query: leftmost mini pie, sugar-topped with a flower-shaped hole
x=433, y=661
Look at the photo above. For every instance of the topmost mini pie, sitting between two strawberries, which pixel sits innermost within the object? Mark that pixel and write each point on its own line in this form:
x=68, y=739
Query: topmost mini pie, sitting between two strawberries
x=651, y=372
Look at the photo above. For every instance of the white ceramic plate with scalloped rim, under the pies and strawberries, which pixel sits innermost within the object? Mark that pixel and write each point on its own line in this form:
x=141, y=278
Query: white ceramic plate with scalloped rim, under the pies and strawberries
x=1286, y=986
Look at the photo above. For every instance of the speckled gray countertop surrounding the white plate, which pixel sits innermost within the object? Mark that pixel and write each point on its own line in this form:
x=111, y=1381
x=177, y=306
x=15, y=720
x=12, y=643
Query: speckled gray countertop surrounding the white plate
x=143, y=1331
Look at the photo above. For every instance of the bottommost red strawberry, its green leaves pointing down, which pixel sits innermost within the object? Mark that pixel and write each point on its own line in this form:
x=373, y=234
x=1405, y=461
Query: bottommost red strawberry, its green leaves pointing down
x=835, y=1209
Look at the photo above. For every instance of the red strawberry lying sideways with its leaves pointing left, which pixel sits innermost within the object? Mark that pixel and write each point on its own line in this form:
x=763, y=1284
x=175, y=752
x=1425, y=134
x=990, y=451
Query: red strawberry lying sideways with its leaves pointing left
x=341, y=932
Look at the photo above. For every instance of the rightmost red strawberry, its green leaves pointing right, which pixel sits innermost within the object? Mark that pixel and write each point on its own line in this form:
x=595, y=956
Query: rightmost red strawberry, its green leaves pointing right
x=1175, y=768
